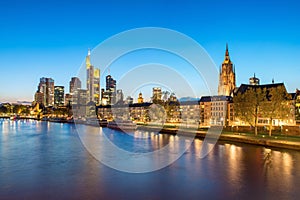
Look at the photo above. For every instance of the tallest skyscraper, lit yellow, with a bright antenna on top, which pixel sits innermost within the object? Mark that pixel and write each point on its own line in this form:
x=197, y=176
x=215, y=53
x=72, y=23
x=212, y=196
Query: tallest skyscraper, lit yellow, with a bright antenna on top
x=93, y=81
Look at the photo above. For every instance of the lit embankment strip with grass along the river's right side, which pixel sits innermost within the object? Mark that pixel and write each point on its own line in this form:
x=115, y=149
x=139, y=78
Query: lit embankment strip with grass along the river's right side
x=275, y=141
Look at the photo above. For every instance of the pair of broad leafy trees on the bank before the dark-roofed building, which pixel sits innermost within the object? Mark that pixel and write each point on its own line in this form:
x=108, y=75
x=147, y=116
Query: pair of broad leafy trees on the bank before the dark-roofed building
x=256, y=102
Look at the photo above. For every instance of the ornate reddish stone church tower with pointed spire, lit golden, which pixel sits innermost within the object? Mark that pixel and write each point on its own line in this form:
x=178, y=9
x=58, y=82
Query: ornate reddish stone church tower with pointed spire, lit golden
x=227, y=76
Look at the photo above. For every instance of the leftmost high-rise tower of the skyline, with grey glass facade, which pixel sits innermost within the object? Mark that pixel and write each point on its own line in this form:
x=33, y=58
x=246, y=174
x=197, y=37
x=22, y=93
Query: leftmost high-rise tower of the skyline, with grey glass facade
x=46, y=87
